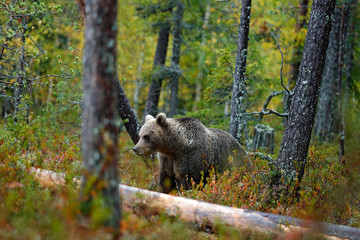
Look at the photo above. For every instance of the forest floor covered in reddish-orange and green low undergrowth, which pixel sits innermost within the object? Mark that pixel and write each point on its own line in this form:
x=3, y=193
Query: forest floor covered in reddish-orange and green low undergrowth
x=329, y=191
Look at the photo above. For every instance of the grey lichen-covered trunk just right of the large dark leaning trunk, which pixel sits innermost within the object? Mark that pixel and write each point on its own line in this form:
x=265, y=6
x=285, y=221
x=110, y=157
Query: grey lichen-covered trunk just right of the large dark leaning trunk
x=327, y=115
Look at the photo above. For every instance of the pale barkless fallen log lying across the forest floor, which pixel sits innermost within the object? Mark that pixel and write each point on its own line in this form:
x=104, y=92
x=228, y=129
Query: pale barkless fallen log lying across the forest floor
x=191, y=210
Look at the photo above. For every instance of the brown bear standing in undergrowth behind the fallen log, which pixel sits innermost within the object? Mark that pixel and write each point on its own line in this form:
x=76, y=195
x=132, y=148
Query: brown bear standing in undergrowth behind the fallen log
x=187, y=149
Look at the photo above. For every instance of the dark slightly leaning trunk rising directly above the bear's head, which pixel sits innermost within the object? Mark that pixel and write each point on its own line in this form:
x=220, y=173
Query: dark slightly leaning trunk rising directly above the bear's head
x=152, y=101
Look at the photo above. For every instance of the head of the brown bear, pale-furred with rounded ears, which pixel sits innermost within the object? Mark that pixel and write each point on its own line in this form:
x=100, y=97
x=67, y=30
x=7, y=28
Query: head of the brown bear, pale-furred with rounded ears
x=151, y=135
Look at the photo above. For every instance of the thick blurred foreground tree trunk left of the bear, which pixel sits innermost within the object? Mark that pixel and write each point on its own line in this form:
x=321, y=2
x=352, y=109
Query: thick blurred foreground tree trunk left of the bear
x=99, y=133
